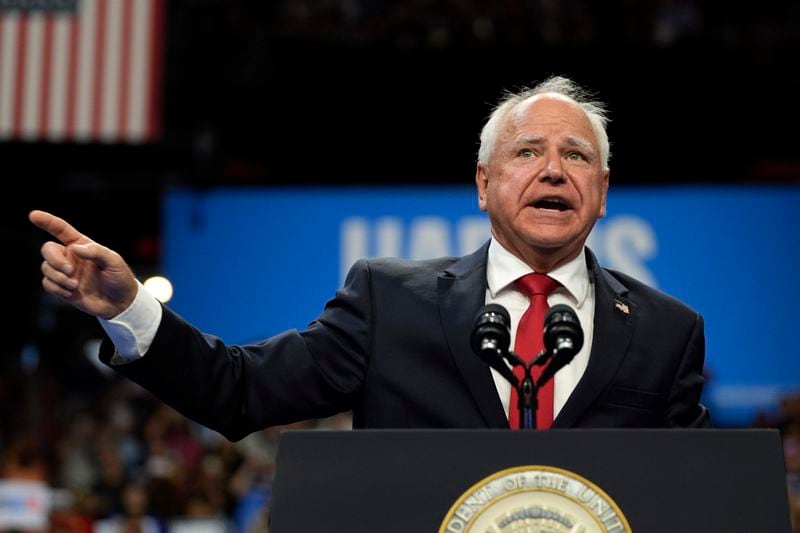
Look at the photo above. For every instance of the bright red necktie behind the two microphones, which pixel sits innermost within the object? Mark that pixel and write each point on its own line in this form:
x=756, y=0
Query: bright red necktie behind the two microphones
x=530, y=342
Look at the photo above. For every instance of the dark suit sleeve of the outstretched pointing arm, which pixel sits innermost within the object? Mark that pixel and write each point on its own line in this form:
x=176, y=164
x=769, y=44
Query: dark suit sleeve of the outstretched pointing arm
x=289, y=377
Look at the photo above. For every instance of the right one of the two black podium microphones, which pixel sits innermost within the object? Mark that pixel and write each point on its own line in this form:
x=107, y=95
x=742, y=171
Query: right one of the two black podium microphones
x=563, y=337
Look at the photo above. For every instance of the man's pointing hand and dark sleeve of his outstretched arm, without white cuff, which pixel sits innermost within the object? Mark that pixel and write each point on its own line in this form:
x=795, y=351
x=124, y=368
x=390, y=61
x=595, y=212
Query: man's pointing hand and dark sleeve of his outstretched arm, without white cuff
x=233, y=389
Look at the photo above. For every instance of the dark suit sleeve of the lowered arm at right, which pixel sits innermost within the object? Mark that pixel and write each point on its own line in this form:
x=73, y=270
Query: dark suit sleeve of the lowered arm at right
x=684, y=408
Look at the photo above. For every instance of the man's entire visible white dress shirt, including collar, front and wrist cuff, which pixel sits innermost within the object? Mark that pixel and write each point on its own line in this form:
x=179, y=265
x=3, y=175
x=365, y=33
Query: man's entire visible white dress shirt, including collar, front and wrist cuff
x=133, y=330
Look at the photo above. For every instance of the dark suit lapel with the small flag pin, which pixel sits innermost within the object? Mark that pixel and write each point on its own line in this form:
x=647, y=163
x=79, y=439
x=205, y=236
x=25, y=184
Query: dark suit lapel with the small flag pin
x=614, y=323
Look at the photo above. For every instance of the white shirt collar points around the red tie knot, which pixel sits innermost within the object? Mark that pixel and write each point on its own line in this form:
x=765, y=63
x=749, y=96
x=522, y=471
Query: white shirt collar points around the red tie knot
x=503, y=268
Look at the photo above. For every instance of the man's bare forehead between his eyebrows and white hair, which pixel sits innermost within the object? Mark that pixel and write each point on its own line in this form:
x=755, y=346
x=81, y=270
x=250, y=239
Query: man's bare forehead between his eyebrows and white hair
x=549, y=115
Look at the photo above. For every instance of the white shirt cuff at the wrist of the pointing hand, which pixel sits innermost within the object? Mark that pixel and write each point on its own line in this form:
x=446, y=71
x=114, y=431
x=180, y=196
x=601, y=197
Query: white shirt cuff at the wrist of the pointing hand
x=132, y=331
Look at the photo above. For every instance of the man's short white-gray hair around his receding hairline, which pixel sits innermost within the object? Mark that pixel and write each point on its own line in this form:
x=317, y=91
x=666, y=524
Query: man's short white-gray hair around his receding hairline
x=559, y=87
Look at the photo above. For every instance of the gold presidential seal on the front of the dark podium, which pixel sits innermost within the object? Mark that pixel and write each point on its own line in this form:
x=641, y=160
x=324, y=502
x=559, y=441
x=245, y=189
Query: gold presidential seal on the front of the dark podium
x=535, y=499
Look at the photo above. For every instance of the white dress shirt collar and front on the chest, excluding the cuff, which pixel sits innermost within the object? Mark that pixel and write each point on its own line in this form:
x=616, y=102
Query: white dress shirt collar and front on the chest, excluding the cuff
x=576, y=291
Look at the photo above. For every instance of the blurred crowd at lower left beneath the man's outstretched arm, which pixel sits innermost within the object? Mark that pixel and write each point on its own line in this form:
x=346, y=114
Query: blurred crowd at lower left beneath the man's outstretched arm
x=114, y=459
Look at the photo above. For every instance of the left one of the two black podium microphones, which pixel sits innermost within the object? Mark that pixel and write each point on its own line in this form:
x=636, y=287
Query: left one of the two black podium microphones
x=490, y=338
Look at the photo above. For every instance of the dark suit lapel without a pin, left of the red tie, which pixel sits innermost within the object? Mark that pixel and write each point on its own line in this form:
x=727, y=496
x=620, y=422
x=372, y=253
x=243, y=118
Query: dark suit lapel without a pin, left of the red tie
x=462, y=292
